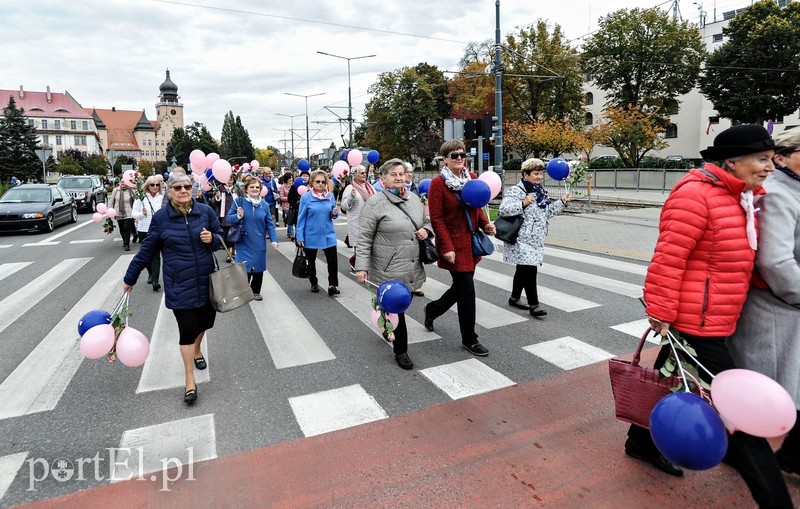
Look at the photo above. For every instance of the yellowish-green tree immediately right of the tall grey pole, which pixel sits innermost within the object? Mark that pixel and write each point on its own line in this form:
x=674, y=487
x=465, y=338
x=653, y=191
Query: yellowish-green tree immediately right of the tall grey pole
x=543, y=77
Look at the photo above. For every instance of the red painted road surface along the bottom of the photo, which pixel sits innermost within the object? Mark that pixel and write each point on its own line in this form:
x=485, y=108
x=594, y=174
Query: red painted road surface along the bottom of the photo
x=546, y=443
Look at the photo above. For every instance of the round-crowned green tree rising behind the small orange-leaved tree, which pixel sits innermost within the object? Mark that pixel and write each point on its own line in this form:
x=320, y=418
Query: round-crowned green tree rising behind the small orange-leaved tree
x=642, y=57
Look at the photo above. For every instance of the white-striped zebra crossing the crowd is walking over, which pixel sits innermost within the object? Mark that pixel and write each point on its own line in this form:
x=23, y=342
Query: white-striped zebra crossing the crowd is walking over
x=288, y=339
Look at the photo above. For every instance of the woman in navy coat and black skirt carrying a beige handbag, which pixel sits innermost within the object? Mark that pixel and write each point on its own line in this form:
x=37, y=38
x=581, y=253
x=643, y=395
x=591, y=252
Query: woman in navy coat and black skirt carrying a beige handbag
x=186, y=232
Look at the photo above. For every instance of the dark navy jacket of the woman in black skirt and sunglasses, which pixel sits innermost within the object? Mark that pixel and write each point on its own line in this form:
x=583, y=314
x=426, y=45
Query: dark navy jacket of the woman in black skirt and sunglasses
x=187, y=261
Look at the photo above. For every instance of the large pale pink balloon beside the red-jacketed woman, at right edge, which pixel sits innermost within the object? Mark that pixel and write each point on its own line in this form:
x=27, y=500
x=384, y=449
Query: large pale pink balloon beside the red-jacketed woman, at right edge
x=753, y=403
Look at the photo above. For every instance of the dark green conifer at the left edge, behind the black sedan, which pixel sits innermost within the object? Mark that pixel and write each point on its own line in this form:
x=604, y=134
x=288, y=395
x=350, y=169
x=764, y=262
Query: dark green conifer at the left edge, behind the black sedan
x=17, y=145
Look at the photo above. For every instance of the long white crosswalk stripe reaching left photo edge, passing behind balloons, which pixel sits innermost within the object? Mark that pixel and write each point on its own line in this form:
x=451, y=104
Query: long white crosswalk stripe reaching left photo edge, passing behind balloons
x=40, y=380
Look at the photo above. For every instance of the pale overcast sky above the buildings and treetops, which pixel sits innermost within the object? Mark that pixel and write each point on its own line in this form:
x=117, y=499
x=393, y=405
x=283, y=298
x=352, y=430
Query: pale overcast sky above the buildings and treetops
x=243, y=55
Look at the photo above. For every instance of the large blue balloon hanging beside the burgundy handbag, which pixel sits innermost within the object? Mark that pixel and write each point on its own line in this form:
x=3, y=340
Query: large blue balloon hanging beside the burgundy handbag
x=688, y=431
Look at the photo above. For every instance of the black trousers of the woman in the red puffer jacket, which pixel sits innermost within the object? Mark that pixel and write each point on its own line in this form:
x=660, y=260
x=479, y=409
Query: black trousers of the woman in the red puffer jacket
x=751, y=456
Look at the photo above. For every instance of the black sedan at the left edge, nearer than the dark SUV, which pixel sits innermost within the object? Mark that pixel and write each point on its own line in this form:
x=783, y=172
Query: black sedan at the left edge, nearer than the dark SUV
x=36, y=207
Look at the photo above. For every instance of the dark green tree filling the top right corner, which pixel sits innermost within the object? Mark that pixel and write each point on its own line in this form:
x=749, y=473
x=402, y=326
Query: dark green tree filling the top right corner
x=754, y=75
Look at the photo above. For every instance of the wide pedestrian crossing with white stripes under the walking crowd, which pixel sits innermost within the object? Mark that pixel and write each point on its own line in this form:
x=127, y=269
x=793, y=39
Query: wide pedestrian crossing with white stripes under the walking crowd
x=323, y=381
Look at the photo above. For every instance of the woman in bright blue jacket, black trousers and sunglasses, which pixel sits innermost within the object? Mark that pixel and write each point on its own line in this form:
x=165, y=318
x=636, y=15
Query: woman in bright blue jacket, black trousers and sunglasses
x=315, y=230
